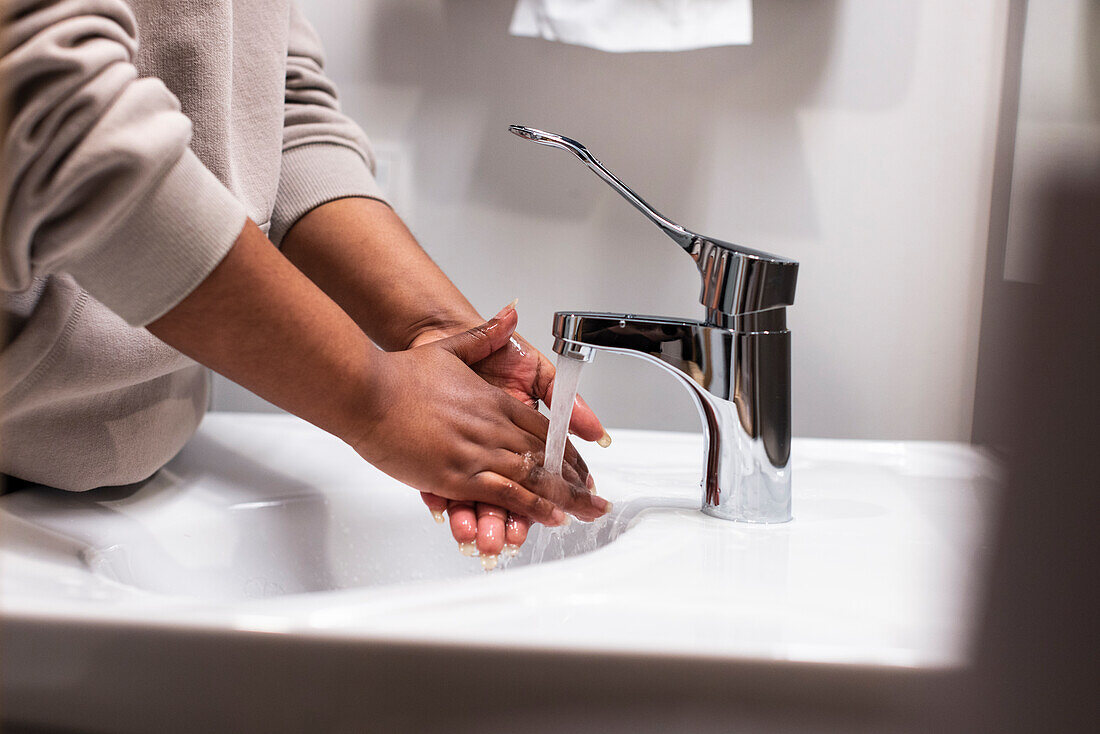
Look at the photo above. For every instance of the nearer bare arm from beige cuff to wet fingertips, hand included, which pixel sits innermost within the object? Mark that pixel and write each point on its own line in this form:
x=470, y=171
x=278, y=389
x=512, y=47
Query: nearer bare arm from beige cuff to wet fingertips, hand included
x=420, y=415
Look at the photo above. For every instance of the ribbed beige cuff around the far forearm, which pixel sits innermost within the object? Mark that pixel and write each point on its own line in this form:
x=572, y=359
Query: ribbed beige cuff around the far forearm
x=315, y=174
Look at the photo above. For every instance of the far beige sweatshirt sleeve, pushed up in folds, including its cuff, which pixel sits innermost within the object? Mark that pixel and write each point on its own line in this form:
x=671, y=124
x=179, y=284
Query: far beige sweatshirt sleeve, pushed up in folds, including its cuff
x=326, y=157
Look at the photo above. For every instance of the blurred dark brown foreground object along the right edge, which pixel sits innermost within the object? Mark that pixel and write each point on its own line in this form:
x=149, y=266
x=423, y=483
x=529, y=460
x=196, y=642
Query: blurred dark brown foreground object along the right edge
x=1039, y=656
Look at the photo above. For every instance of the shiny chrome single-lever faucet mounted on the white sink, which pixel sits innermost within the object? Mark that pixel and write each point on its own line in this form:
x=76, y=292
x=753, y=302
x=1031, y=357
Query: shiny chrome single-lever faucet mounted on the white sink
x=736, y=364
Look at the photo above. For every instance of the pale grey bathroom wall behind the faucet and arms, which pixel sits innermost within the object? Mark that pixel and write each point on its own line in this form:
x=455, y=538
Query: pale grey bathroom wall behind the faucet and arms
x=857, y=137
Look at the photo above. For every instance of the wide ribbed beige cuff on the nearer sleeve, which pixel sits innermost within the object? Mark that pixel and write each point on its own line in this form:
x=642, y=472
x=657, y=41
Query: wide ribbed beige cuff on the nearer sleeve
x=167, y=247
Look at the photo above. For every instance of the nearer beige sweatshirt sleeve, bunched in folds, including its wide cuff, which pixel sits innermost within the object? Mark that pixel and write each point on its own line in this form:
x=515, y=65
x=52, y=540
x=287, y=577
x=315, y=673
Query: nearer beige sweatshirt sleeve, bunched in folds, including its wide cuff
x=96, y=176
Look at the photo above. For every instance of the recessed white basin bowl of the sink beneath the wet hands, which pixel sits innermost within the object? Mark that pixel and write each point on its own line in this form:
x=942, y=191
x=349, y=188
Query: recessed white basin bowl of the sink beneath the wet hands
x=218, y=525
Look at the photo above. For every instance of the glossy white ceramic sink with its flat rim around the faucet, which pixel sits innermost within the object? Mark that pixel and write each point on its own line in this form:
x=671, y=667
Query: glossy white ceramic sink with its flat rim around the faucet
x=265, y=524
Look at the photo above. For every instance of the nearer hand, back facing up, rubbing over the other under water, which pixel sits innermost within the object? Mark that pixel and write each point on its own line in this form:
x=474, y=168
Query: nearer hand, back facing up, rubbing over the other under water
x=437, y=426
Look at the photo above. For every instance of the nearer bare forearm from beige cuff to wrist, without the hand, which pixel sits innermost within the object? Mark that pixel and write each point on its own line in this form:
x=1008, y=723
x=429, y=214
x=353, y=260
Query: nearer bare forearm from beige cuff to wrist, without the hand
x=258, y=321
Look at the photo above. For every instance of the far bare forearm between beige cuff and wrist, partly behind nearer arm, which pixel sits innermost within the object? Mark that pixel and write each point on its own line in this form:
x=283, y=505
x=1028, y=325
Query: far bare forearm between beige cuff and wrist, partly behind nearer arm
x=362, y=256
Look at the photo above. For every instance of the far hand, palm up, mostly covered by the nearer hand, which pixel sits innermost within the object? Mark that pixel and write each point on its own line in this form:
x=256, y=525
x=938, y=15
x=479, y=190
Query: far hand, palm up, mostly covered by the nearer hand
x=526, y=375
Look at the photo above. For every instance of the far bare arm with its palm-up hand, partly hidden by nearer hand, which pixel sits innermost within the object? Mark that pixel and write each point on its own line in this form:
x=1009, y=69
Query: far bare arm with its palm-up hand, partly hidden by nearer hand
x=360, y=253
